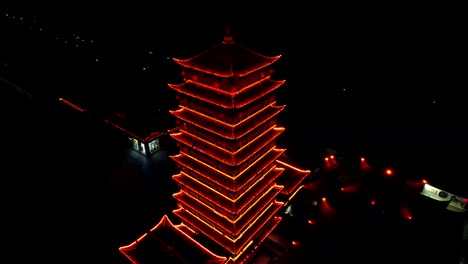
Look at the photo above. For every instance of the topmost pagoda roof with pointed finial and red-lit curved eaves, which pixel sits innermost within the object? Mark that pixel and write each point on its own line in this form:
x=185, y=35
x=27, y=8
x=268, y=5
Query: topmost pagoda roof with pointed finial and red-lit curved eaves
x=228, y=59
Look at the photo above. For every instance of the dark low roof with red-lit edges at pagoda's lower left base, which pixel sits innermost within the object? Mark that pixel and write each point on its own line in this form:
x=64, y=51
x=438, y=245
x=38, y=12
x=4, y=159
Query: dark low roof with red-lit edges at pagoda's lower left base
x=170, y=241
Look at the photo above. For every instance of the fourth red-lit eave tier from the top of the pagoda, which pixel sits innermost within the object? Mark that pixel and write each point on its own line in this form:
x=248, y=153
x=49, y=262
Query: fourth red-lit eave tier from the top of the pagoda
x=229, y=158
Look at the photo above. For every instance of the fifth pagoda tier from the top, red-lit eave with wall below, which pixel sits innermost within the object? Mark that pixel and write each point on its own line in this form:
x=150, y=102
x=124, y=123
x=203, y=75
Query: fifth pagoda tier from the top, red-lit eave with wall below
x=227, y=183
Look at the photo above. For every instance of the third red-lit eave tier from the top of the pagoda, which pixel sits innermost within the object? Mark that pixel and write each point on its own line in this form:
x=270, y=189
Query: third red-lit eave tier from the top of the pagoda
x=226, y=130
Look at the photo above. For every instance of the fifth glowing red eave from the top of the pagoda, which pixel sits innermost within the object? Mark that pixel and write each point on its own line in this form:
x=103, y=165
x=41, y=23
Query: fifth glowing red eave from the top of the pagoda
x=233, y=182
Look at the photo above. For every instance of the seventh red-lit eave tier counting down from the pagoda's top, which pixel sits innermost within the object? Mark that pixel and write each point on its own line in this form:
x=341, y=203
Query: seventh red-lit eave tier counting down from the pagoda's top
x=222, y=222
